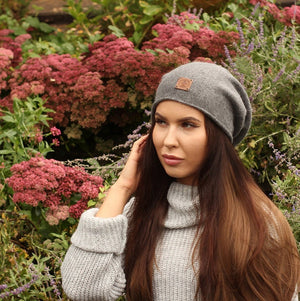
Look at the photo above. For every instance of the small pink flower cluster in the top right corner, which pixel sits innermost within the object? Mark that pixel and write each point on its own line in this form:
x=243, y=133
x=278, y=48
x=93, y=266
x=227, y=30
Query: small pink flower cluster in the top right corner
x=285, y=15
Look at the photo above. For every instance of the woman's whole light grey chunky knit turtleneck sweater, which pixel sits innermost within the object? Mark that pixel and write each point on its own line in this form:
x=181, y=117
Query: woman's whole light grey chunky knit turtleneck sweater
x=93, y=266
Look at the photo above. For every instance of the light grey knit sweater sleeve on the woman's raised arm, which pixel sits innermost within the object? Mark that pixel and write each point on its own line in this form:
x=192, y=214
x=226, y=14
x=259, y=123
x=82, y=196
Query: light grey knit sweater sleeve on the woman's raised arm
x=92, y=268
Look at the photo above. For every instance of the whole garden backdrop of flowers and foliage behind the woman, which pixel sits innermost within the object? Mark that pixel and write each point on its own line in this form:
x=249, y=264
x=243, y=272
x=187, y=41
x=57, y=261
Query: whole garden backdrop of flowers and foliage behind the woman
x=59, y=90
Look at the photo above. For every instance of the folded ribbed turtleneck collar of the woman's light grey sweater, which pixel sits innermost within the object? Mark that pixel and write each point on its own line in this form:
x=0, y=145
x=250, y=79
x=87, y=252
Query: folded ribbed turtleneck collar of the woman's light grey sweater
x=182, y=200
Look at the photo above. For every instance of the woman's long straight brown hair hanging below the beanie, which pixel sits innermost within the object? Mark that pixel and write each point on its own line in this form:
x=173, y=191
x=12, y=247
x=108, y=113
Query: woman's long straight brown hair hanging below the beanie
x=247, y=250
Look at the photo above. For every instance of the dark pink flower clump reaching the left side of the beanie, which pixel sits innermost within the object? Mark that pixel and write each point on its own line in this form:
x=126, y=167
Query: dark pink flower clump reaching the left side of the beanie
x=127, y=70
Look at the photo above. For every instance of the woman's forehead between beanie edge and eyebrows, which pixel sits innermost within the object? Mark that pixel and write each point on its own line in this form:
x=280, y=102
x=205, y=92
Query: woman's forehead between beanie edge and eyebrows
x=180, y=110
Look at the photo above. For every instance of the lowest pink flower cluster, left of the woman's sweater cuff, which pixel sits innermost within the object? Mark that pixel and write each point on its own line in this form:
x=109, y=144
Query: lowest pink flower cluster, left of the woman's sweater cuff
x=53, y=185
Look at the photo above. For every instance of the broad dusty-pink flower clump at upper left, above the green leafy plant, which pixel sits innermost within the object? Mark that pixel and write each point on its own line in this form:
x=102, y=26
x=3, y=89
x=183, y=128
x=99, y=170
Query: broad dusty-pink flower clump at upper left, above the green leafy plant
x=52, y=77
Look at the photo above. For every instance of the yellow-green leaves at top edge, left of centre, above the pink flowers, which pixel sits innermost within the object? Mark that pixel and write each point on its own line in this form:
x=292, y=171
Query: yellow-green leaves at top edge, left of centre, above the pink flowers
x=131, y=18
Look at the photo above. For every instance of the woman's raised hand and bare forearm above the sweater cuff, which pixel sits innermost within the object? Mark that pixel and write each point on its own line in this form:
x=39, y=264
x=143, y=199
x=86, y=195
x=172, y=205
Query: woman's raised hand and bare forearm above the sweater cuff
x=120, y=192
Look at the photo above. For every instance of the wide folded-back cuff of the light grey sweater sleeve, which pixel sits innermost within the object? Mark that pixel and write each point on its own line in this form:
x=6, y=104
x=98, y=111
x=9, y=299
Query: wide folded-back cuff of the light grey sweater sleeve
x=100, y=235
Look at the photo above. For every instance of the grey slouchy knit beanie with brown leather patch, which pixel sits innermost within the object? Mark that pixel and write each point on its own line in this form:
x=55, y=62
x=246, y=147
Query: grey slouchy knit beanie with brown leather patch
x=211, y=89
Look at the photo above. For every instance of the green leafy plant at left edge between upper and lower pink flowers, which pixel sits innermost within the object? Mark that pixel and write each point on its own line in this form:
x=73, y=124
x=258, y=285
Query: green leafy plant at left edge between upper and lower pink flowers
x=21, y=136
